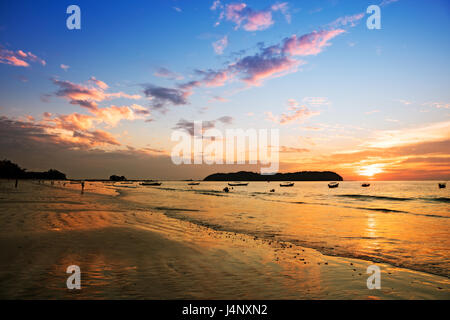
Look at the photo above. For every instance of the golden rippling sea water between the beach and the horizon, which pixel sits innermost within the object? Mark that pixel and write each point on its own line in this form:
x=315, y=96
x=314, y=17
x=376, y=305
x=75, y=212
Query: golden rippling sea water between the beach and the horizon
x=405, y=224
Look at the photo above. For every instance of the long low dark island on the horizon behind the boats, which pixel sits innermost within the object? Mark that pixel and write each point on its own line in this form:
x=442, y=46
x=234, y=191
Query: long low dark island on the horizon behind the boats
x=294, y=176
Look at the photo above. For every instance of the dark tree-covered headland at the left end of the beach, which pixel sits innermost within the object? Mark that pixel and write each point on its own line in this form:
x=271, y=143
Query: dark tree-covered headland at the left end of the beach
x=10, y=170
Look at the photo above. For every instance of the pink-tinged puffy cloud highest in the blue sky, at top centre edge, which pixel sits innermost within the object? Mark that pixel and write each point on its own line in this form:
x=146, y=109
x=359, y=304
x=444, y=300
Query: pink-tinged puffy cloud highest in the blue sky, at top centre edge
x=247, y=18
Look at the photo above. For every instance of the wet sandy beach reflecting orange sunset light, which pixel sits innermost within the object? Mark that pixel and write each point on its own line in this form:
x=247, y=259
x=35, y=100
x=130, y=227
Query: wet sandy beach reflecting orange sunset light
x=126, y=251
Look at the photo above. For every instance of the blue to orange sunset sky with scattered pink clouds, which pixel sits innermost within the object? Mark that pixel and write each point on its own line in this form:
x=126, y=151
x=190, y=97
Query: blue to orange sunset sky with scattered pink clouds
x=369, y=104
